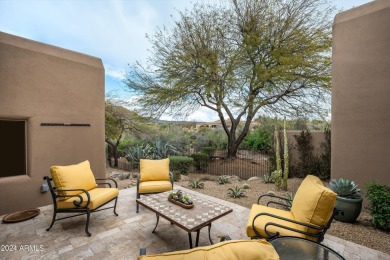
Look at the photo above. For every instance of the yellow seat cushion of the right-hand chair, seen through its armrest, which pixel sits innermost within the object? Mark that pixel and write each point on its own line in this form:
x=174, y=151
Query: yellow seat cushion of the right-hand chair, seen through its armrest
x=262, y=220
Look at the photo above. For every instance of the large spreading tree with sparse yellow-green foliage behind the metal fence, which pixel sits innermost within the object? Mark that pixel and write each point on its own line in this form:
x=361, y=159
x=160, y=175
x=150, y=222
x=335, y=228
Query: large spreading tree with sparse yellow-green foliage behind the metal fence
x=239, y=59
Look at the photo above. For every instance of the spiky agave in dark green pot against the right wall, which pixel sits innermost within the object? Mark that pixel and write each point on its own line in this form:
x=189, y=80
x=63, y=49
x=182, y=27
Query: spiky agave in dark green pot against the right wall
x=348, y=200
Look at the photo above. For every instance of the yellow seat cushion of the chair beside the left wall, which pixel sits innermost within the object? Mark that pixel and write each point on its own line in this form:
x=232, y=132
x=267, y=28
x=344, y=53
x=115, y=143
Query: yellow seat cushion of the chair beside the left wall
x=98, y=197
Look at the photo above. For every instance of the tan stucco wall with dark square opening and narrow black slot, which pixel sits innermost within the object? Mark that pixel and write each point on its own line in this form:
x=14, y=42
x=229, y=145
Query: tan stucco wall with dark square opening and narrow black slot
x=46, y=84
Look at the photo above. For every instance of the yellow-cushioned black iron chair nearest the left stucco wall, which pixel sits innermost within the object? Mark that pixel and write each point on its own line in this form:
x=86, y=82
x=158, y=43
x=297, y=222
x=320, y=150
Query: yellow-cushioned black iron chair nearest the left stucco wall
x=75, y=190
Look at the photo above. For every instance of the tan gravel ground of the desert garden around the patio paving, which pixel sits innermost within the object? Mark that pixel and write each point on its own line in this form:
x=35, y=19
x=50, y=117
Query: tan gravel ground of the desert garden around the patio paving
x=360, y=232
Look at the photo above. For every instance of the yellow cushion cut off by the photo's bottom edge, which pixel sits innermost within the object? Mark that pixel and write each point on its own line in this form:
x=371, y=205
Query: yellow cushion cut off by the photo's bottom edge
x=228, y=250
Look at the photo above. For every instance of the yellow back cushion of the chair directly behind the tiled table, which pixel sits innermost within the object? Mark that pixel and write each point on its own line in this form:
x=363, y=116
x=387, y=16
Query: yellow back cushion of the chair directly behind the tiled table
x=154, y=170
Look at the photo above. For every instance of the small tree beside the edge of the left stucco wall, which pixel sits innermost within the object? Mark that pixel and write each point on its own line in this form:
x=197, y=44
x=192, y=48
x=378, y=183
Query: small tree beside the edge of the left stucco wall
x=119, y=120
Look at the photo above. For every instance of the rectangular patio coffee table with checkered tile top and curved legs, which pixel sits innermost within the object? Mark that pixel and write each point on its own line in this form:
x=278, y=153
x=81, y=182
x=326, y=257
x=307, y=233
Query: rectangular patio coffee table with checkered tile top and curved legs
x=191, y=220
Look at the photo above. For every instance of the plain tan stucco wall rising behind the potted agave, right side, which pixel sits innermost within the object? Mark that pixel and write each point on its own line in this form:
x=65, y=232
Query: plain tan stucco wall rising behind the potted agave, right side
x=361, y=94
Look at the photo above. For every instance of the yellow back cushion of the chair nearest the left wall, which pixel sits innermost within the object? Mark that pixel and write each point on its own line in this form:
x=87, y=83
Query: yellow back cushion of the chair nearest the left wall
x=78, y=176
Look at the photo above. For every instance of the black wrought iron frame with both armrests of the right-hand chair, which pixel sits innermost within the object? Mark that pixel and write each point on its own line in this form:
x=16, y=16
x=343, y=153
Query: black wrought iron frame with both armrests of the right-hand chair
x=320, y=235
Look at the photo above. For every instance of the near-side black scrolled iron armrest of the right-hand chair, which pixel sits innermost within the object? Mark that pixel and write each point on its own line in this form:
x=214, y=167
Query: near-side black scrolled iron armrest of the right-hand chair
x=273, y=235
